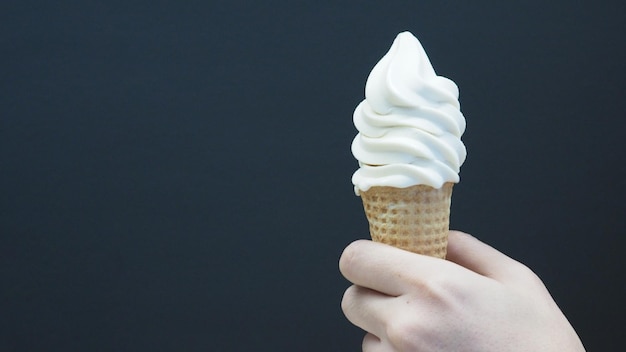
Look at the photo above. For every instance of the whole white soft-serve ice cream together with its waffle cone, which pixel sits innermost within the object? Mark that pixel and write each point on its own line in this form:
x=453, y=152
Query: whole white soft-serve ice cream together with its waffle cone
x=409, y=150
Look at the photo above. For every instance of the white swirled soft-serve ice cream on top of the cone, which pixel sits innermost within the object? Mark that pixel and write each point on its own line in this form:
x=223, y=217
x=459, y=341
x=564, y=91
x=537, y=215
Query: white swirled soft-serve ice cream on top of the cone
x=410, y=123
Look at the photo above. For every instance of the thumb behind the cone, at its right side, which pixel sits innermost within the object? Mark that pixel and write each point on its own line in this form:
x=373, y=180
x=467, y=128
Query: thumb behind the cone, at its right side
x=471, y=253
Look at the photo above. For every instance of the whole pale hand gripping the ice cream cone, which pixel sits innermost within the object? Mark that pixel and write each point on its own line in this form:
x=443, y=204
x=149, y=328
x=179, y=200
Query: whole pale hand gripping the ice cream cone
x=476, y=300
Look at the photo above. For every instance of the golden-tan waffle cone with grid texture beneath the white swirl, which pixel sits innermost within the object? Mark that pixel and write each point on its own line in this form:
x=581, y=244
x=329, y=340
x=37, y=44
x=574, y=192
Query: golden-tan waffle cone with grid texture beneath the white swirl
x=416, y=218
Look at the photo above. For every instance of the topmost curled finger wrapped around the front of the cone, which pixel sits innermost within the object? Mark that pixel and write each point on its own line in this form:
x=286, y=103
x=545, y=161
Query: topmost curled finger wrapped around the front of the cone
x=387, y=269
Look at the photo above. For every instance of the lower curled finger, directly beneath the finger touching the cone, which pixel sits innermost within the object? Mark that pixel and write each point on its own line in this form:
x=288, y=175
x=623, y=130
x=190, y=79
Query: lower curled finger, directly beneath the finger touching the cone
x=366, y=309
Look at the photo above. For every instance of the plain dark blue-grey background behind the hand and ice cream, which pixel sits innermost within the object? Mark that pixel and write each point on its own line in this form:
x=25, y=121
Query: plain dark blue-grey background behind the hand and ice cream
x=176, y=174
